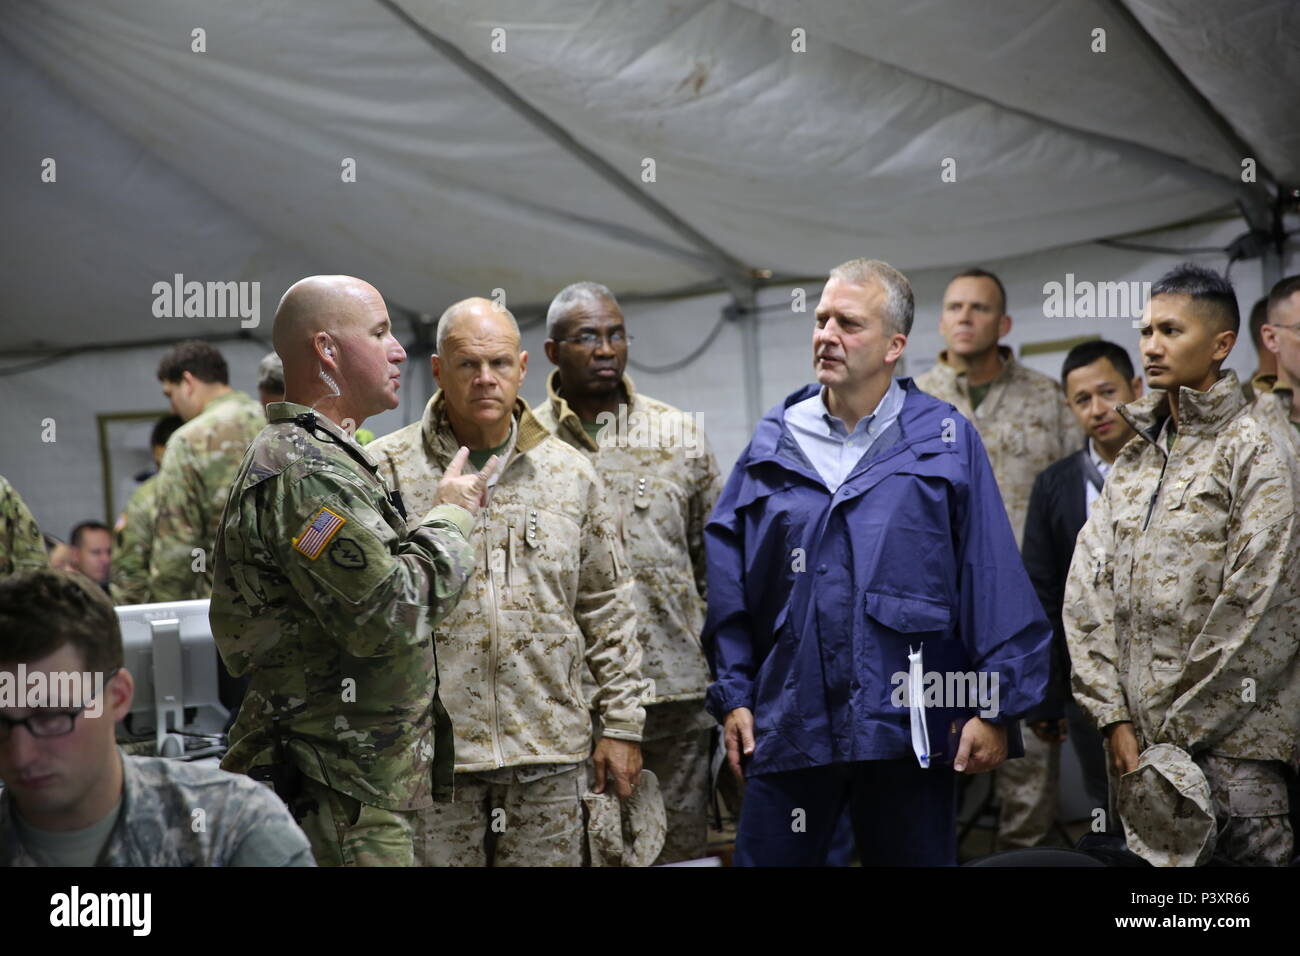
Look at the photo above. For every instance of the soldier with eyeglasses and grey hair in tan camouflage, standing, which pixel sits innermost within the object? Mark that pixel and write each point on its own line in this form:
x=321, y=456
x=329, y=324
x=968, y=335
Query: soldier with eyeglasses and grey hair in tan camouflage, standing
x=657, y=468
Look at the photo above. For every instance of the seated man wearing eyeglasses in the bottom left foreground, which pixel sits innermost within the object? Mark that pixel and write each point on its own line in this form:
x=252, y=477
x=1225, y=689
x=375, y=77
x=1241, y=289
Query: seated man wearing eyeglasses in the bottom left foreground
x=71, y=797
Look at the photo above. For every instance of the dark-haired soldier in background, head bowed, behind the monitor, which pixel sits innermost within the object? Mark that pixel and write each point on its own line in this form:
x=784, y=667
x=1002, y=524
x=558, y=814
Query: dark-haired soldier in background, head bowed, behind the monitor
x=200, y=465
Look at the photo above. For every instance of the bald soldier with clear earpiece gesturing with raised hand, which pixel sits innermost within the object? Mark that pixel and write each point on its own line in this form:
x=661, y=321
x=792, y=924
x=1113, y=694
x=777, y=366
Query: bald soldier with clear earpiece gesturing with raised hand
x=327, y=599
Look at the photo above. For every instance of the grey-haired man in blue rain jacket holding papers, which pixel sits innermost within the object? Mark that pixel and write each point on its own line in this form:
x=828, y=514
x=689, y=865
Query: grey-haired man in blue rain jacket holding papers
x=861, y=524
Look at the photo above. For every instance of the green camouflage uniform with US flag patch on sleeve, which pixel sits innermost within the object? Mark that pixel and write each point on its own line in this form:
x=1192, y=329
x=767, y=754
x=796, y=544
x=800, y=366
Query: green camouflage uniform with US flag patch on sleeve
x=326, y=599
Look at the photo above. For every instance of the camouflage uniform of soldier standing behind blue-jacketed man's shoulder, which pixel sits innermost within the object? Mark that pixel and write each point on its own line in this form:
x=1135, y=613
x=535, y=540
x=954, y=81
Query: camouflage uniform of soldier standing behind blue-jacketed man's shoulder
x=1026, y=427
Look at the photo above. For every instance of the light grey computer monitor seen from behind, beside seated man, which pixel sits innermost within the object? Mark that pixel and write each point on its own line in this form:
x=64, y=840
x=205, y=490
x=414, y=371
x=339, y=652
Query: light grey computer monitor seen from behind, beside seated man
x=170, y=651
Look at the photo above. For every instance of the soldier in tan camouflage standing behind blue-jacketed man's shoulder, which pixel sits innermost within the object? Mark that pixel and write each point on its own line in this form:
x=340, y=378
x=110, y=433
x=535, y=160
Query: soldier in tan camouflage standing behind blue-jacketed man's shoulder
x=1026, y=427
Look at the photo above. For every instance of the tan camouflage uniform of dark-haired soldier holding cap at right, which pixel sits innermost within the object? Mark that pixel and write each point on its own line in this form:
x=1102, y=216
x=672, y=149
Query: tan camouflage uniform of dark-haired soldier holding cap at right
x=1182, y=609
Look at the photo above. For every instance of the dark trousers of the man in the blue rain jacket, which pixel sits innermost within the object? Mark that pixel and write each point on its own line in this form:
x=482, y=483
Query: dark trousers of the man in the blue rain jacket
x=903, y=816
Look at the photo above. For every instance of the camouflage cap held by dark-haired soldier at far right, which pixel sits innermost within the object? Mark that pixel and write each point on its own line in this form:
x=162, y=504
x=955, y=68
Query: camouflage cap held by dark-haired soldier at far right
x=1167, y=808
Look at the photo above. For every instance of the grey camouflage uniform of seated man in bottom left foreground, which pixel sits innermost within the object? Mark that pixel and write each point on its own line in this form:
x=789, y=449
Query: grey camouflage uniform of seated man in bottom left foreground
x=158, y=825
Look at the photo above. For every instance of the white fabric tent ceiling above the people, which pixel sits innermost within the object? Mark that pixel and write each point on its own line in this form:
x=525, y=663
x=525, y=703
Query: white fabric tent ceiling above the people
x=523, y=170
